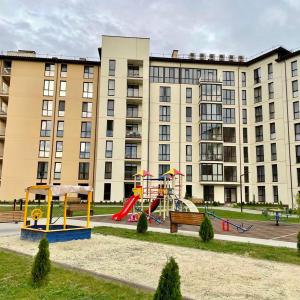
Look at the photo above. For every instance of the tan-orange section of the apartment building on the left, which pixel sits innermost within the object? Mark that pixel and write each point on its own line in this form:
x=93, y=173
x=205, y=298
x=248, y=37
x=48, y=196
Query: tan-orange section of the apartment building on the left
x=47, y=121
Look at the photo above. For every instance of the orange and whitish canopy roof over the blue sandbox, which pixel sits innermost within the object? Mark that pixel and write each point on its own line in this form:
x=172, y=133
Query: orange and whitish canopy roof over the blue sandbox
x=59, y=190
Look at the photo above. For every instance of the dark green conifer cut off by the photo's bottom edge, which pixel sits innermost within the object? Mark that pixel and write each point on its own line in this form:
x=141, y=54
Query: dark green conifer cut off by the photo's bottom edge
x=169, y=282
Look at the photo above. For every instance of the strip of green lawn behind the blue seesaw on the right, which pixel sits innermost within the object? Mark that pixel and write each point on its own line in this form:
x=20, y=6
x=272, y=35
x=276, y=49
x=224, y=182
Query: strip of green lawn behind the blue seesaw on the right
x=245, y=216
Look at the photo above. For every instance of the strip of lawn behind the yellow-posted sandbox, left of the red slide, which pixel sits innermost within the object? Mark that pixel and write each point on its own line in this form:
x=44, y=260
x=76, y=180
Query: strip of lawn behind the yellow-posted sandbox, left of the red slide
x=58, y=211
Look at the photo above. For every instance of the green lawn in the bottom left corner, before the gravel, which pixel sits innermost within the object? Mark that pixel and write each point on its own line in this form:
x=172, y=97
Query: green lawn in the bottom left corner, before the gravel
x=63, y=284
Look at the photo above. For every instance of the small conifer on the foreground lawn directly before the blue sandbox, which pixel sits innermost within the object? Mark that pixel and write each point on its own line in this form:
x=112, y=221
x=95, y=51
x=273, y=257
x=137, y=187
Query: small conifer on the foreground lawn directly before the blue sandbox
x=41, y=265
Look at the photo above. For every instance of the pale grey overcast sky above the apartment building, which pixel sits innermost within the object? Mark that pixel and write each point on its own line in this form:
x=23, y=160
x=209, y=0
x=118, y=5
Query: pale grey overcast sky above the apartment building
x=74, y=27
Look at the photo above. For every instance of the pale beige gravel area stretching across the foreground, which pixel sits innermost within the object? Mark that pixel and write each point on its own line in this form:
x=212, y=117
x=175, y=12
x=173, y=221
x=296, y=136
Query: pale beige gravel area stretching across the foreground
x=204, y=274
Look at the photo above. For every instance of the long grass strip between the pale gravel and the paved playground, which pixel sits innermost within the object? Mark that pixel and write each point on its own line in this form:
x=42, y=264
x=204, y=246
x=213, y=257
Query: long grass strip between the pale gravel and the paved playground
x=285, y=255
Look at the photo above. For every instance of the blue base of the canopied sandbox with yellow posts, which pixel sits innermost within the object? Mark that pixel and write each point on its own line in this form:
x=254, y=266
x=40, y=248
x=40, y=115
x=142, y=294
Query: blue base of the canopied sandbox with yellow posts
x=57, y=233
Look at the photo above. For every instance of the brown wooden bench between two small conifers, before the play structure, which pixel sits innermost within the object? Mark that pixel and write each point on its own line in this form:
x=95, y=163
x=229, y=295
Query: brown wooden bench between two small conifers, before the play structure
x=184, y=218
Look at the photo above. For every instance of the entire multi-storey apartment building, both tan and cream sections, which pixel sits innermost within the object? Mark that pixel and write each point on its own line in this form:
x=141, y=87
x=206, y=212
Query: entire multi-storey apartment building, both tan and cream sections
x=231, y=125
